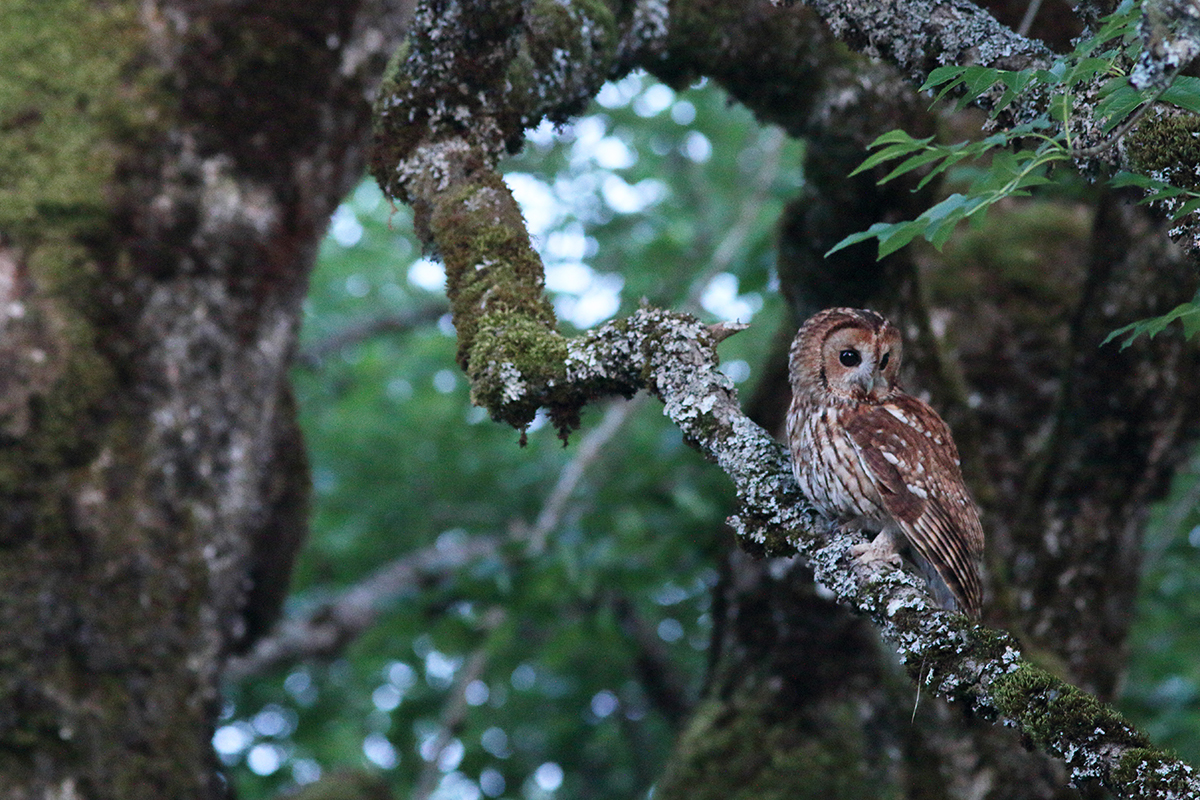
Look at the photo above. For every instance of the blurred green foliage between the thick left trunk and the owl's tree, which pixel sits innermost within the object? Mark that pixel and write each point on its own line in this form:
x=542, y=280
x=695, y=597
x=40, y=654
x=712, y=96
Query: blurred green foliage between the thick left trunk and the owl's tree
x=649, y=196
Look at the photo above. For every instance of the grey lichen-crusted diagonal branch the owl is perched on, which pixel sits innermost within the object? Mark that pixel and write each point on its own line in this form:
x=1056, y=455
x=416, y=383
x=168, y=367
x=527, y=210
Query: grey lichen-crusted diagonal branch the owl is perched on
x=675, y=358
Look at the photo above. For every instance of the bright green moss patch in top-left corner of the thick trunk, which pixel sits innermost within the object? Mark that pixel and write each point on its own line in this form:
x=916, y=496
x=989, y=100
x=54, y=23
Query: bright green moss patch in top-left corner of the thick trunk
x=64, y=104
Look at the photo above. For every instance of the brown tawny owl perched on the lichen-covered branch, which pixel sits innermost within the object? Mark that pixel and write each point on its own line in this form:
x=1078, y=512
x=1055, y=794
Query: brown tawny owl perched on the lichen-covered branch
x=873, y=458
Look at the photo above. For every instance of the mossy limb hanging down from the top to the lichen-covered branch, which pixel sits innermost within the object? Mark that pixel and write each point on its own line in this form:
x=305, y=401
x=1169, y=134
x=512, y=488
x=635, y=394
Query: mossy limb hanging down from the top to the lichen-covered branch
x=459, y=95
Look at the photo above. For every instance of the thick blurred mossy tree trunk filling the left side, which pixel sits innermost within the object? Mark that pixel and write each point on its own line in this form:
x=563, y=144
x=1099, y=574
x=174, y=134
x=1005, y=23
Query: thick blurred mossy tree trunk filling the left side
x=167, y=171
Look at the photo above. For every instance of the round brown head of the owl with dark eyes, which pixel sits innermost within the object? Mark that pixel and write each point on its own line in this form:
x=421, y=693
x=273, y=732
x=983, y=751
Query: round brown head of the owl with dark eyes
x=847, y=354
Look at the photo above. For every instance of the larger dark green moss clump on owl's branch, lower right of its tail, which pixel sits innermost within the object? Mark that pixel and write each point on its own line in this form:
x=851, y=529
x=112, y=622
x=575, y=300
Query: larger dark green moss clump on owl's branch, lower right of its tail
x=1051, y=711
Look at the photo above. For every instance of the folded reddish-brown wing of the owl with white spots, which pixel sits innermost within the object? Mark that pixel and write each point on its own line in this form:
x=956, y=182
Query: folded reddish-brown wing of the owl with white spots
x=910, y=456
